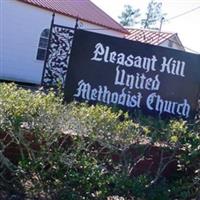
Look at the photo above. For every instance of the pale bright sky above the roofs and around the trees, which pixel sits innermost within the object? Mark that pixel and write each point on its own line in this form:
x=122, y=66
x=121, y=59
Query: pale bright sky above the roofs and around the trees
x=187, y=25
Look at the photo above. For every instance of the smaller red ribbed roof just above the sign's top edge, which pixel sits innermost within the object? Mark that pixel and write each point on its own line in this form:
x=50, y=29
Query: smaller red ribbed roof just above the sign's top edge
x=148, y=36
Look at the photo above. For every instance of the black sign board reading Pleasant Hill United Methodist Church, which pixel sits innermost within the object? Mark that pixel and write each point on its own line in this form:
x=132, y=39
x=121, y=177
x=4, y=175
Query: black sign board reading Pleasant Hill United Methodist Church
x=132, y=75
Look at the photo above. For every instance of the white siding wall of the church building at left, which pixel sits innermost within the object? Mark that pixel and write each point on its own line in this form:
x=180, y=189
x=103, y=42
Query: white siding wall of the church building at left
x=20, y=28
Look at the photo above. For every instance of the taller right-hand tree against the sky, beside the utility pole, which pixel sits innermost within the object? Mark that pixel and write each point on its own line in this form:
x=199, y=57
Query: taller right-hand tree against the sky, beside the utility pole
x=153, y=14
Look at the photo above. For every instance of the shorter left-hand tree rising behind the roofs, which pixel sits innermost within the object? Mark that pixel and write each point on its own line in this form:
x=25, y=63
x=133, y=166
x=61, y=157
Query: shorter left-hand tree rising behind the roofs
x=129, y=16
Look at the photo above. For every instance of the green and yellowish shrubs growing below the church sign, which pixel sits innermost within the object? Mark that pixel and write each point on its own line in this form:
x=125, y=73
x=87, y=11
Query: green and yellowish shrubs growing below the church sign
x=78, y=151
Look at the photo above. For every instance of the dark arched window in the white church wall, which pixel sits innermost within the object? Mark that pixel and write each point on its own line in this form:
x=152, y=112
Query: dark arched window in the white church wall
x=43, y=43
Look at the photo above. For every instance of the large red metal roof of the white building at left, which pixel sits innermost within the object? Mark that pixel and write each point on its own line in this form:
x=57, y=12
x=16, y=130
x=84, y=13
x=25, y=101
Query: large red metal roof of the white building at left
x=83, y=9
